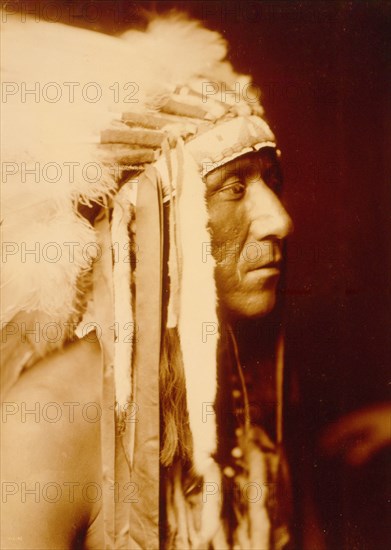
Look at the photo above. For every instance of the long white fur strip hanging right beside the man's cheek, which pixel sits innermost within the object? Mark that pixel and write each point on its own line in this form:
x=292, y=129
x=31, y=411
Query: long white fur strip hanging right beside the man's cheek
x=197, y=310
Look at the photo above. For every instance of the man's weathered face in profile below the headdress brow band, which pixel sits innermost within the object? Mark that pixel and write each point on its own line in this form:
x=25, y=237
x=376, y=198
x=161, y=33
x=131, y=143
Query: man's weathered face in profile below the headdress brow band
x=248, y=224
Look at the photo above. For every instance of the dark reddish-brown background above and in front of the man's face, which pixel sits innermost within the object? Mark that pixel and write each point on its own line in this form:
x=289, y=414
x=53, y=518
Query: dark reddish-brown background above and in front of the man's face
x=324, y=70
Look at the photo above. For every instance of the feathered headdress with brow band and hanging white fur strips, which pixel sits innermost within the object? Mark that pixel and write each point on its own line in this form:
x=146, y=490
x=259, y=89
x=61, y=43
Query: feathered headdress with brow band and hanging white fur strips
x=82, y=114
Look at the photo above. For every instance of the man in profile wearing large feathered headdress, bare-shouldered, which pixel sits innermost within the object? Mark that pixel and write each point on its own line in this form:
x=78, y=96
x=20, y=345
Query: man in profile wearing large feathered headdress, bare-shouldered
x=142, y=343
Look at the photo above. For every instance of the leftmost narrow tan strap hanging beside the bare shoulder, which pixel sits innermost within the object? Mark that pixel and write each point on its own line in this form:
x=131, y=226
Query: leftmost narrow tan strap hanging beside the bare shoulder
x=117, y=489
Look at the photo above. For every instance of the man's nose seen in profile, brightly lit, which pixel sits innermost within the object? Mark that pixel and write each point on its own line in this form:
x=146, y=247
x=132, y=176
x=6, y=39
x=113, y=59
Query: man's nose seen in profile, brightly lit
x=268, y=217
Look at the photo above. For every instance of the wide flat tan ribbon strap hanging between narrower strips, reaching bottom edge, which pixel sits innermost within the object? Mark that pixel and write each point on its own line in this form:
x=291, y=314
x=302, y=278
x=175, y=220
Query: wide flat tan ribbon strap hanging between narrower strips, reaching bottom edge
x=144, y=510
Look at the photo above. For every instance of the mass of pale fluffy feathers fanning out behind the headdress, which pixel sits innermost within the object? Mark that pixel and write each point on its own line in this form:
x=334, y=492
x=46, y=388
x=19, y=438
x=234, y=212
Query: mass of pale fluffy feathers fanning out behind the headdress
x=58, y=139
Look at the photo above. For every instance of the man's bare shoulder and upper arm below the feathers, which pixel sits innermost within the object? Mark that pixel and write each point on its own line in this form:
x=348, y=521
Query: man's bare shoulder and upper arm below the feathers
x=51, y=450
